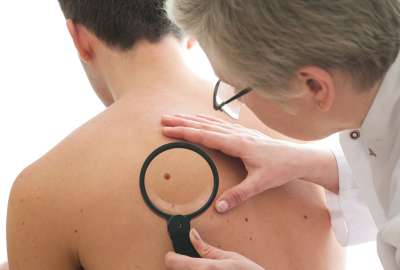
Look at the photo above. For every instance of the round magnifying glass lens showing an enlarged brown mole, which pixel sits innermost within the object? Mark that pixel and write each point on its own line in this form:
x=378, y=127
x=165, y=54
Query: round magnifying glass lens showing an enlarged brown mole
x=179, y=181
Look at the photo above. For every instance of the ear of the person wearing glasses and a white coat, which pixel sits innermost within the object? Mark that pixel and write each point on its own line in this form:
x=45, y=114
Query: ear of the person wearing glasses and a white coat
x=319, y=84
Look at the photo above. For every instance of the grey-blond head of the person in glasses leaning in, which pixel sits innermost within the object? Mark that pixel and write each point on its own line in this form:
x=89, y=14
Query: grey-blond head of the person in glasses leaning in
x=294, y=48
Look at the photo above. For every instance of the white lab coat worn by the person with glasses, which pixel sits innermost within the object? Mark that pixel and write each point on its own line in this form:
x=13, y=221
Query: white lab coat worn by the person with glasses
x=368, y=204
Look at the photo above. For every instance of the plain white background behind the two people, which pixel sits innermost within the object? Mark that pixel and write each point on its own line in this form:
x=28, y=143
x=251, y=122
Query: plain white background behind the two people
x=44, y=95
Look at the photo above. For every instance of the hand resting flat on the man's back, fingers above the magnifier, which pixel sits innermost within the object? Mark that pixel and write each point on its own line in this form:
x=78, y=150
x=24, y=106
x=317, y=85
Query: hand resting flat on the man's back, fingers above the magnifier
x=269, y=162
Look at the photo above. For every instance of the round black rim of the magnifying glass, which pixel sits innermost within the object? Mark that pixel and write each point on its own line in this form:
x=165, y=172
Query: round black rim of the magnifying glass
x=178, y=145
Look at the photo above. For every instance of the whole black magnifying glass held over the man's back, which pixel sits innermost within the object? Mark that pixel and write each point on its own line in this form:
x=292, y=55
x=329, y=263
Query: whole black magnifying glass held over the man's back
x=179, y=181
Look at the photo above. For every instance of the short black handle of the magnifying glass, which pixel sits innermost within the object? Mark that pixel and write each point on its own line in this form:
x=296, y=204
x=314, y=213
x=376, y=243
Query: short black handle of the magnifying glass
x=179, y=229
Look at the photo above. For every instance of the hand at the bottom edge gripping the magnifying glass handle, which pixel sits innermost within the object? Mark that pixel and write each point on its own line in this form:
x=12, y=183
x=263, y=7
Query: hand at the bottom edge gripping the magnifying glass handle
x=212, y=258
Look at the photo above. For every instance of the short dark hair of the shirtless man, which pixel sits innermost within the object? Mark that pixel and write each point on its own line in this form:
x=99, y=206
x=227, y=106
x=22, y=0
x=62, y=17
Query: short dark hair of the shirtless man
x=121, y=23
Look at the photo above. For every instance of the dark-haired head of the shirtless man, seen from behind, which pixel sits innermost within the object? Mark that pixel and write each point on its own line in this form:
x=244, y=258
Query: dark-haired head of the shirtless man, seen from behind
x=117, y=26
